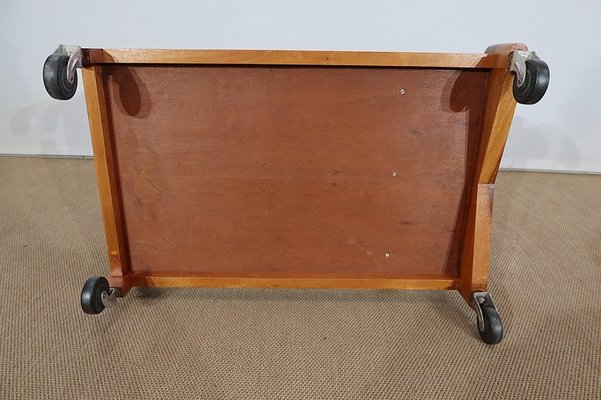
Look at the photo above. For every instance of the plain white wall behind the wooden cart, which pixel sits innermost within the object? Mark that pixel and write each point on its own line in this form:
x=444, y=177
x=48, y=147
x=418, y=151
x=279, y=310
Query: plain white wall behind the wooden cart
x=561, y=132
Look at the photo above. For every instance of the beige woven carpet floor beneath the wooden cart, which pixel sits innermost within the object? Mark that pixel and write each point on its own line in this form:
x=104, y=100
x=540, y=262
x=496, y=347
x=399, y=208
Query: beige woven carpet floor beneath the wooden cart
x=296, y=344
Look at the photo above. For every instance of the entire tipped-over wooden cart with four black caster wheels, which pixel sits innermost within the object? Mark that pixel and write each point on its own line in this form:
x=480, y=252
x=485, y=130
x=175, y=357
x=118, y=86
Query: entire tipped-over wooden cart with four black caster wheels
x=298, y=169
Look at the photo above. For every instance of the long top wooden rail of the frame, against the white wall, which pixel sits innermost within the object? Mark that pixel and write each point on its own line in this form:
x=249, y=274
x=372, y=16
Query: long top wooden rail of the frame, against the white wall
x=290, y=57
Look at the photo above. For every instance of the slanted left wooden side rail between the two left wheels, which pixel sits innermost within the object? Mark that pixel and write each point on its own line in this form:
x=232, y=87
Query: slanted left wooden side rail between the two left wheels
x=105, y=170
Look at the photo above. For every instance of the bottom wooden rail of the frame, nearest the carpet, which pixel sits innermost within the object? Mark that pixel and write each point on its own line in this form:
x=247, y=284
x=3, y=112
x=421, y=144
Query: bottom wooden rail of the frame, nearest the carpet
x=143, y=280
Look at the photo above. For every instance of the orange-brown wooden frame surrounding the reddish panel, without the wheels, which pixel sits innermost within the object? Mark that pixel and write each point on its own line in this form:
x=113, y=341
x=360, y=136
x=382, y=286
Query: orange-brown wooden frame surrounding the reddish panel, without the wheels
x=499, y=110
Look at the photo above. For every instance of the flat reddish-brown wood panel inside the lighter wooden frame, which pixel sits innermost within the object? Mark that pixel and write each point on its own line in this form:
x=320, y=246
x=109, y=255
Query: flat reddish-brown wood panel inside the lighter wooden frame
x=294, y=171
